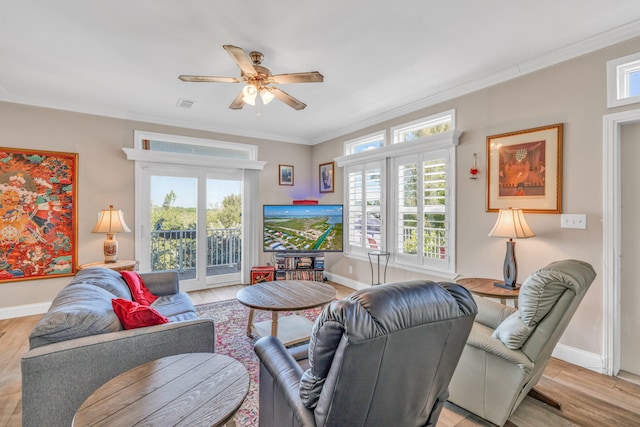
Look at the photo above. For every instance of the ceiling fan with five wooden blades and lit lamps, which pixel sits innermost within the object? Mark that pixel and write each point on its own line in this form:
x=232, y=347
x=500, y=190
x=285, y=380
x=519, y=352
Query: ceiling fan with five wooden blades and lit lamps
x=259, y=80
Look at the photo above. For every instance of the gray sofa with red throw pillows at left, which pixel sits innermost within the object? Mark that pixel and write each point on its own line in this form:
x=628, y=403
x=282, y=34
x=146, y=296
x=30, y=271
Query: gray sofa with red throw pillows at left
x=79, y=344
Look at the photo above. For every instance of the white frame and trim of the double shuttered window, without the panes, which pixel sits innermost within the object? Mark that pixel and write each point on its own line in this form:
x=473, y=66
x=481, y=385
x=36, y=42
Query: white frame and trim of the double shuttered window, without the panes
x=442, y=141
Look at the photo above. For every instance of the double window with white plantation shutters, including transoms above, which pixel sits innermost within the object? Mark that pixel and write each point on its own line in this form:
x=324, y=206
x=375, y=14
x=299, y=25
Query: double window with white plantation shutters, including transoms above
x=400, y=196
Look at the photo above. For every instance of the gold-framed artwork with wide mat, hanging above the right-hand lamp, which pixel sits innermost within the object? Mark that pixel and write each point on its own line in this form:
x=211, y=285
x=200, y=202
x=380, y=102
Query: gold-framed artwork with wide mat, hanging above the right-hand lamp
x=525, y=170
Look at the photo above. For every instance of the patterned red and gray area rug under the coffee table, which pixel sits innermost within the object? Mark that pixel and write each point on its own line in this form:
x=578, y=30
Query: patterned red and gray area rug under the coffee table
x=230, y=319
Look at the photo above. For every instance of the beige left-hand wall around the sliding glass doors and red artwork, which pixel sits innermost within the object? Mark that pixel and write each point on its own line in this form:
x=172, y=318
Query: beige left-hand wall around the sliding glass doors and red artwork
x=105, y=177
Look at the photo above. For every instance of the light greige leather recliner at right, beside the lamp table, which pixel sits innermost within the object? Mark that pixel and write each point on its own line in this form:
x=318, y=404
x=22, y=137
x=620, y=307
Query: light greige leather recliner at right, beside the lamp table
x=509, y=348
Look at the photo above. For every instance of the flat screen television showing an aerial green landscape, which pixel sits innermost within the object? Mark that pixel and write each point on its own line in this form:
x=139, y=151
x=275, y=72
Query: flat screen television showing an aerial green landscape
x=302, y=228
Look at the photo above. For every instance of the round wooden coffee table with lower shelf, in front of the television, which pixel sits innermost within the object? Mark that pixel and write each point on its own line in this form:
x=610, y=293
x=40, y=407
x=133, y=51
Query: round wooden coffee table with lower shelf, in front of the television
x=285, y=295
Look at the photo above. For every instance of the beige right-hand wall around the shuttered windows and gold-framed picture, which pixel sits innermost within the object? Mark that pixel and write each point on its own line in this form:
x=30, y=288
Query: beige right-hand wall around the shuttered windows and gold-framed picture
x=573, y=93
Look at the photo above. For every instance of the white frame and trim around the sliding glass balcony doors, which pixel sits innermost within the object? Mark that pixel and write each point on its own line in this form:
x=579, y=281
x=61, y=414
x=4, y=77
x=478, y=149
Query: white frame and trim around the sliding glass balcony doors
x=248, y=167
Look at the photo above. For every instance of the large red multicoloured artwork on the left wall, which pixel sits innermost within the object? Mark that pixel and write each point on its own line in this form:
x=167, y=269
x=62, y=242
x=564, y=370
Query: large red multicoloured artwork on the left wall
x=38, y=205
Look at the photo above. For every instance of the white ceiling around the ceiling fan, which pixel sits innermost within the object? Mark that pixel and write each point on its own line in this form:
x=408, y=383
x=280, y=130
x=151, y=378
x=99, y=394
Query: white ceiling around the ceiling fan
x=380, y=59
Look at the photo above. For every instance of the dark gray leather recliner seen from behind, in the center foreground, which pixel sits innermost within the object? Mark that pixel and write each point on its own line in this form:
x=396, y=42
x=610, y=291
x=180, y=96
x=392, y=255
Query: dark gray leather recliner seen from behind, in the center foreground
x=381, y=357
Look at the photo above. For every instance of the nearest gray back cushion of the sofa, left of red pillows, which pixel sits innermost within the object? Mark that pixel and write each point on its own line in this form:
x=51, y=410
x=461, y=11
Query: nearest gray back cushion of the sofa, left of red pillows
x=78, y=311
